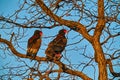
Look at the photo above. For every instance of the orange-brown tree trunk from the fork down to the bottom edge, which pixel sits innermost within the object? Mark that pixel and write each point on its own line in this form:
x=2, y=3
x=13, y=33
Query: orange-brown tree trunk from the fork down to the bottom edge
x=100, y=59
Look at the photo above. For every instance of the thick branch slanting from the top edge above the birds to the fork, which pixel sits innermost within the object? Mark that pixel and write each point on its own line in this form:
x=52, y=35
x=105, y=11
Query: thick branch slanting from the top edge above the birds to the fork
x=71, y=24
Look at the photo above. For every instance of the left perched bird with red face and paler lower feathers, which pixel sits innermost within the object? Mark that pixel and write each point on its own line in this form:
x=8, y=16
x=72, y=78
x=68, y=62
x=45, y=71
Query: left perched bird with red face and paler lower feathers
x=34, y=44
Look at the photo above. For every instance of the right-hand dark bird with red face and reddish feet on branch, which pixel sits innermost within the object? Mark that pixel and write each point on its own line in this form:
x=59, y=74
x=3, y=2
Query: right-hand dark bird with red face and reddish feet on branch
x=55, y=47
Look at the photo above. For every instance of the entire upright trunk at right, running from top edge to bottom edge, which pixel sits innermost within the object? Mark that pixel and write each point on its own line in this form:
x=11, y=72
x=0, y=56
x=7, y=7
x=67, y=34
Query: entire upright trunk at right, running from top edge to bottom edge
x=99, y=54
